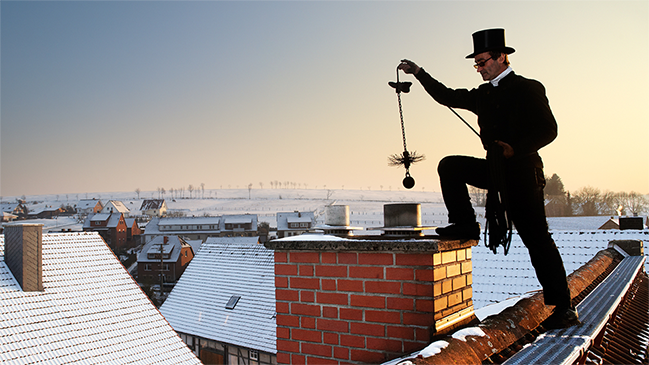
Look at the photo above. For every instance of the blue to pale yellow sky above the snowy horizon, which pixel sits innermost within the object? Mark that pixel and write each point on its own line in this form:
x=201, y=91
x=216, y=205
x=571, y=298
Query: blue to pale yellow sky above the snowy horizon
x=114, y=96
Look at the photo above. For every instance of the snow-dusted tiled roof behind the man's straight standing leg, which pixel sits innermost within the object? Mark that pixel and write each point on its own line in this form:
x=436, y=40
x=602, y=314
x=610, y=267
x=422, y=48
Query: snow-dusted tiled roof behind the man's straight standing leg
x=499, y=277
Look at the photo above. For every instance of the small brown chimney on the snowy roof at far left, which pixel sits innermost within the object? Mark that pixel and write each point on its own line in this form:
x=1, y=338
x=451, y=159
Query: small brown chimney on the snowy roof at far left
x=23, y=254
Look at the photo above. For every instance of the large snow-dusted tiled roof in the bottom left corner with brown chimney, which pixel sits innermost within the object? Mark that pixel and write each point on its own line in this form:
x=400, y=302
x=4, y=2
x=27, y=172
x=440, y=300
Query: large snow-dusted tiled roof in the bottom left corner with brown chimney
x=90, y=311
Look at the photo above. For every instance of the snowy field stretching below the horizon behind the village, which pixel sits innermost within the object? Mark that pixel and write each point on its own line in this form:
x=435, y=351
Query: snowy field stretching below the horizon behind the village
x=366, y=206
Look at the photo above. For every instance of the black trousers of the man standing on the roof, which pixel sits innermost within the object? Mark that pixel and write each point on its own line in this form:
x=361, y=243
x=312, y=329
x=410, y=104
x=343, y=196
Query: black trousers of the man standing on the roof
x=525, y=182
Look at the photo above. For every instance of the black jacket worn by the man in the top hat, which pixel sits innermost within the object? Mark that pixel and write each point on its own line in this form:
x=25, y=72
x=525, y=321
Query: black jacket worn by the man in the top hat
x=516, y=112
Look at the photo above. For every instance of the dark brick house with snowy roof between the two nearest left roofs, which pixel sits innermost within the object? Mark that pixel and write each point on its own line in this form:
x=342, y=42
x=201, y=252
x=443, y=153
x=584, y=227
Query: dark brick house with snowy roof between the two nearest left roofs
x=165, y=255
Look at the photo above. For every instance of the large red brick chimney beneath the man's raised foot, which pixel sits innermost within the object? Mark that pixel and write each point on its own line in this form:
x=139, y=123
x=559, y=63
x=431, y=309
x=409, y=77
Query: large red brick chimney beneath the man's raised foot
x=368, y=299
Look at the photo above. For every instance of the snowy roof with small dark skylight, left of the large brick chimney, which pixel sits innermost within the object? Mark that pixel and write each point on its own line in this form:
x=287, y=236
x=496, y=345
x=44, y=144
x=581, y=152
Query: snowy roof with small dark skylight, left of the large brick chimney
x=226, y=267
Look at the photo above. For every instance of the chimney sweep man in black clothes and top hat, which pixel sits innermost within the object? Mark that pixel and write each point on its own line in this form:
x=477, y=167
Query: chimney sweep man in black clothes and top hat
x=514, y=116
